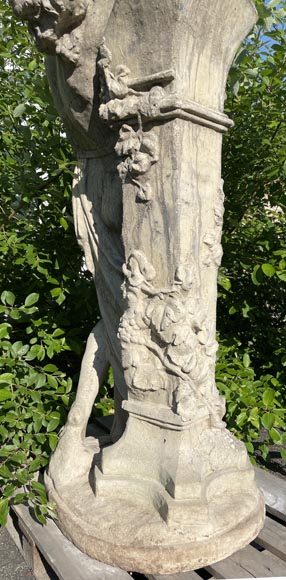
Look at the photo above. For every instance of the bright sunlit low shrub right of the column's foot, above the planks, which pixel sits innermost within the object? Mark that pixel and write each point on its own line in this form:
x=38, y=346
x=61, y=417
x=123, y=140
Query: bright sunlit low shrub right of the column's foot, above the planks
x=253, y=404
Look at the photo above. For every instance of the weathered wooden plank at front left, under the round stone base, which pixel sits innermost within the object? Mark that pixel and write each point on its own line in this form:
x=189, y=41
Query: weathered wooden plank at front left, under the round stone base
x=62, y=556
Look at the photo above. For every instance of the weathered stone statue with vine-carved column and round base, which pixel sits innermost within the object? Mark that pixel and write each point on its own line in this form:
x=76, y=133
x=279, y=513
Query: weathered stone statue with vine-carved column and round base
x=140, y=87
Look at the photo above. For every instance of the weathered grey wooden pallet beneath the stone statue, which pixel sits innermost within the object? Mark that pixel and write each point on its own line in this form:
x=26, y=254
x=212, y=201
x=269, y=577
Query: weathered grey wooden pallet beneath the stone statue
x=51, y=556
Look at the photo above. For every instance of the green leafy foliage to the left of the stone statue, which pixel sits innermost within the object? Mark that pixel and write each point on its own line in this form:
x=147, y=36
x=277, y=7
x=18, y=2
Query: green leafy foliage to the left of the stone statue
x=48, y=304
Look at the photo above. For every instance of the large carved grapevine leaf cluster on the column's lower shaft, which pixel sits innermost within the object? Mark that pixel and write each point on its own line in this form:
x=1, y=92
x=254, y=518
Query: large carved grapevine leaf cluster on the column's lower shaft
x=167, y=343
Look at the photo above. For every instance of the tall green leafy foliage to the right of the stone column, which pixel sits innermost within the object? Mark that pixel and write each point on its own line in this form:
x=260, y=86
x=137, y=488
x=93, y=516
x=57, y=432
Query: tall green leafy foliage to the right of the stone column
x=252, y=281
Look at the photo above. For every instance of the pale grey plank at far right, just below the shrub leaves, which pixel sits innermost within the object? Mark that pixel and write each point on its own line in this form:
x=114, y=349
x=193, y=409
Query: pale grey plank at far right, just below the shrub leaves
x=274, y=489
